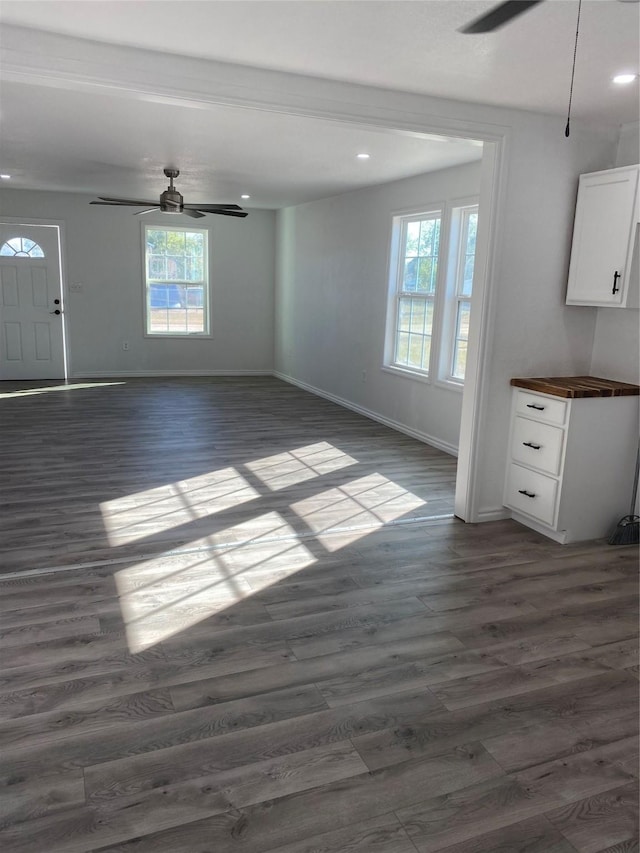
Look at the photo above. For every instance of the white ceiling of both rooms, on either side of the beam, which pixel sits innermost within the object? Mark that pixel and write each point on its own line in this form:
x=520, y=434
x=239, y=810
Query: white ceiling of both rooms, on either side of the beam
x=58, y=137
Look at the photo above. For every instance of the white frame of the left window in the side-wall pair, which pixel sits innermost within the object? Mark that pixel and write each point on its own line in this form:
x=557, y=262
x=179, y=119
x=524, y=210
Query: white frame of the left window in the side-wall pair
x=396, y=293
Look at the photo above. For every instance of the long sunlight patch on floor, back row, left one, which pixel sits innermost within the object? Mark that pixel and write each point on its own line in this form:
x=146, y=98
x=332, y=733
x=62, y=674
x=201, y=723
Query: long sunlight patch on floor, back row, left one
x=145, y=514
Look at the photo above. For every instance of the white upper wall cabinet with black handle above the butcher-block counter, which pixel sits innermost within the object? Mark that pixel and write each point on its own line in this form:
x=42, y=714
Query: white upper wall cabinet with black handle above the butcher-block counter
x=604, y=234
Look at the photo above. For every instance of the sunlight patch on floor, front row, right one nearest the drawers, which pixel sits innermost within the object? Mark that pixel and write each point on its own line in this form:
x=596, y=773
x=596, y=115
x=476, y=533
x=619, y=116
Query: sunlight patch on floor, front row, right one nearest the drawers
x=366, y=503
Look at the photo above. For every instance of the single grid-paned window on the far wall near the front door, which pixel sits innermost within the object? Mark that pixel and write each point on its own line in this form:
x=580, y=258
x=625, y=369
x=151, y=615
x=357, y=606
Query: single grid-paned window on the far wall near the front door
x=176, y=281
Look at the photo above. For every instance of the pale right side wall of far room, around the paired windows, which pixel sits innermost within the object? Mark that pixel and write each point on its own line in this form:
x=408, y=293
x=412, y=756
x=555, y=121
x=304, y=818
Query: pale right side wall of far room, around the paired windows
x=332, y=287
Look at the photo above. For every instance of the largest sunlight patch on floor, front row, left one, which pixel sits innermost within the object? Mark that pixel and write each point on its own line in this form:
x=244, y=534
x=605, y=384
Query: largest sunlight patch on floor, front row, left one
x=165, y=595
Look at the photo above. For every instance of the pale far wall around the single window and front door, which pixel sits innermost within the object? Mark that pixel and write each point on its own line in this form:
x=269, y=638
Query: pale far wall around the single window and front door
x=103, y=251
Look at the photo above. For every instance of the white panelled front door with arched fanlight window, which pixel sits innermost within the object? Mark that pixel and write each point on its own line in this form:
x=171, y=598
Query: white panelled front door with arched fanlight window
x=31, y=323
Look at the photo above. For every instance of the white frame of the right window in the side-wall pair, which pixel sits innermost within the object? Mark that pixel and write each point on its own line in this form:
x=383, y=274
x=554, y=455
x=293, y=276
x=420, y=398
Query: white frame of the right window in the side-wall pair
x=461, y=210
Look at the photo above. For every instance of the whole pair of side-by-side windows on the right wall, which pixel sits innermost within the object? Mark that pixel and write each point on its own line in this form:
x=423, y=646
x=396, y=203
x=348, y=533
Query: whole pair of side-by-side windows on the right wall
x=431, y=279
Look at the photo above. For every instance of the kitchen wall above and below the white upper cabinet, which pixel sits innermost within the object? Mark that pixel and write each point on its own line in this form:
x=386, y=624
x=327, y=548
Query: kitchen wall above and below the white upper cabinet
x=616, y=352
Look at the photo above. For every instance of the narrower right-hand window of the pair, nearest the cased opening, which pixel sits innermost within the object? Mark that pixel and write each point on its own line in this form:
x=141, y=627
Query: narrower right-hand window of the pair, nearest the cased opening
x=467, y=226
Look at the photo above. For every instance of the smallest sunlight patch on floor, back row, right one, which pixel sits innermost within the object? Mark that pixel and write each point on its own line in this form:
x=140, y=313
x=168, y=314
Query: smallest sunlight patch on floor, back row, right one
x=295, y=466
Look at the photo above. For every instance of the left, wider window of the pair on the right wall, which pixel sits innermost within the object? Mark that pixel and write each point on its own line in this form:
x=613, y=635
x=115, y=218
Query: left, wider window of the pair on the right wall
x=417, y=272
